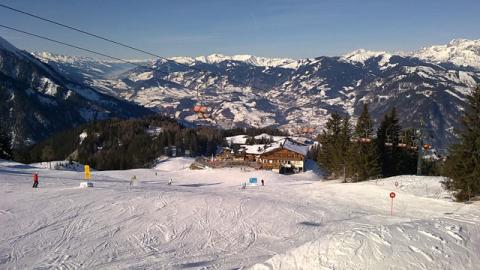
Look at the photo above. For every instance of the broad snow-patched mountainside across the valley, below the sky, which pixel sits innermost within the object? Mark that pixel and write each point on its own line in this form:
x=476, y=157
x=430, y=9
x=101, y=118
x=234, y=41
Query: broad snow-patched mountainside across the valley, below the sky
x=427, y=88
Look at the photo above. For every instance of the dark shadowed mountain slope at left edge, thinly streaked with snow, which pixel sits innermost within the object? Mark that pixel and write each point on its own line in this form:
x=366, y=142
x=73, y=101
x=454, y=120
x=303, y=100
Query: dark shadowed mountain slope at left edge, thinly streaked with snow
x=38, y=100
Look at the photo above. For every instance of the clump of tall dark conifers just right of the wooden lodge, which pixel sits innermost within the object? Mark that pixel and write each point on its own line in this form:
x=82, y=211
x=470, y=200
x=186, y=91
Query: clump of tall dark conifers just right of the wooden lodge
x=357, y=153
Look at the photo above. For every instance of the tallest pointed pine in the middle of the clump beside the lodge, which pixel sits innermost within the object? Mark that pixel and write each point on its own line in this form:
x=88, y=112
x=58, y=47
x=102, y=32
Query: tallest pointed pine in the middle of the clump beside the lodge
x=364, y=152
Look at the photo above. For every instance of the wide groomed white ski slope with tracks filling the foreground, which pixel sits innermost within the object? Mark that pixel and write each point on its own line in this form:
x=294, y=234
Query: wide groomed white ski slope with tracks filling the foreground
x=204, y=220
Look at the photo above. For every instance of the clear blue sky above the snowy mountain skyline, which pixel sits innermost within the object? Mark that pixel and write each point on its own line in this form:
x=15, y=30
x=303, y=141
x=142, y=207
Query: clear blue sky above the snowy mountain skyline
x=272, y=28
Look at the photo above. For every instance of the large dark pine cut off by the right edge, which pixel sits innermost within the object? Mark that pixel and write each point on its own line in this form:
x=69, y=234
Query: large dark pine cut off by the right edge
x=463, y=164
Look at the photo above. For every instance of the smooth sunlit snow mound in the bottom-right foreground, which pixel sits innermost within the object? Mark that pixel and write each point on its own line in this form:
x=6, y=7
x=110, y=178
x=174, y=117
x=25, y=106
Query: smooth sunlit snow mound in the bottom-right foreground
x=432, y=244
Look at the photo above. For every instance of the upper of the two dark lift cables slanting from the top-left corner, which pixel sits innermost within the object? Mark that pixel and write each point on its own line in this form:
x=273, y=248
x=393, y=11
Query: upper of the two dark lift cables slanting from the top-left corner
x=122, y=44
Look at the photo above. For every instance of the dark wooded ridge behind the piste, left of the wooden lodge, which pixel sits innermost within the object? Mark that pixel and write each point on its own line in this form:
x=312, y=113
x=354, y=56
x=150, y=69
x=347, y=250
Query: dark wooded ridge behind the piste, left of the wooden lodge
x=126, y=144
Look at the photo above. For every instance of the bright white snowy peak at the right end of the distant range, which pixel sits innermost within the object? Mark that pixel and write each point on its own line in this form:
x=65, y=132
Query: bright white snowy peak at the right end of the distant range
x=461, y=52
